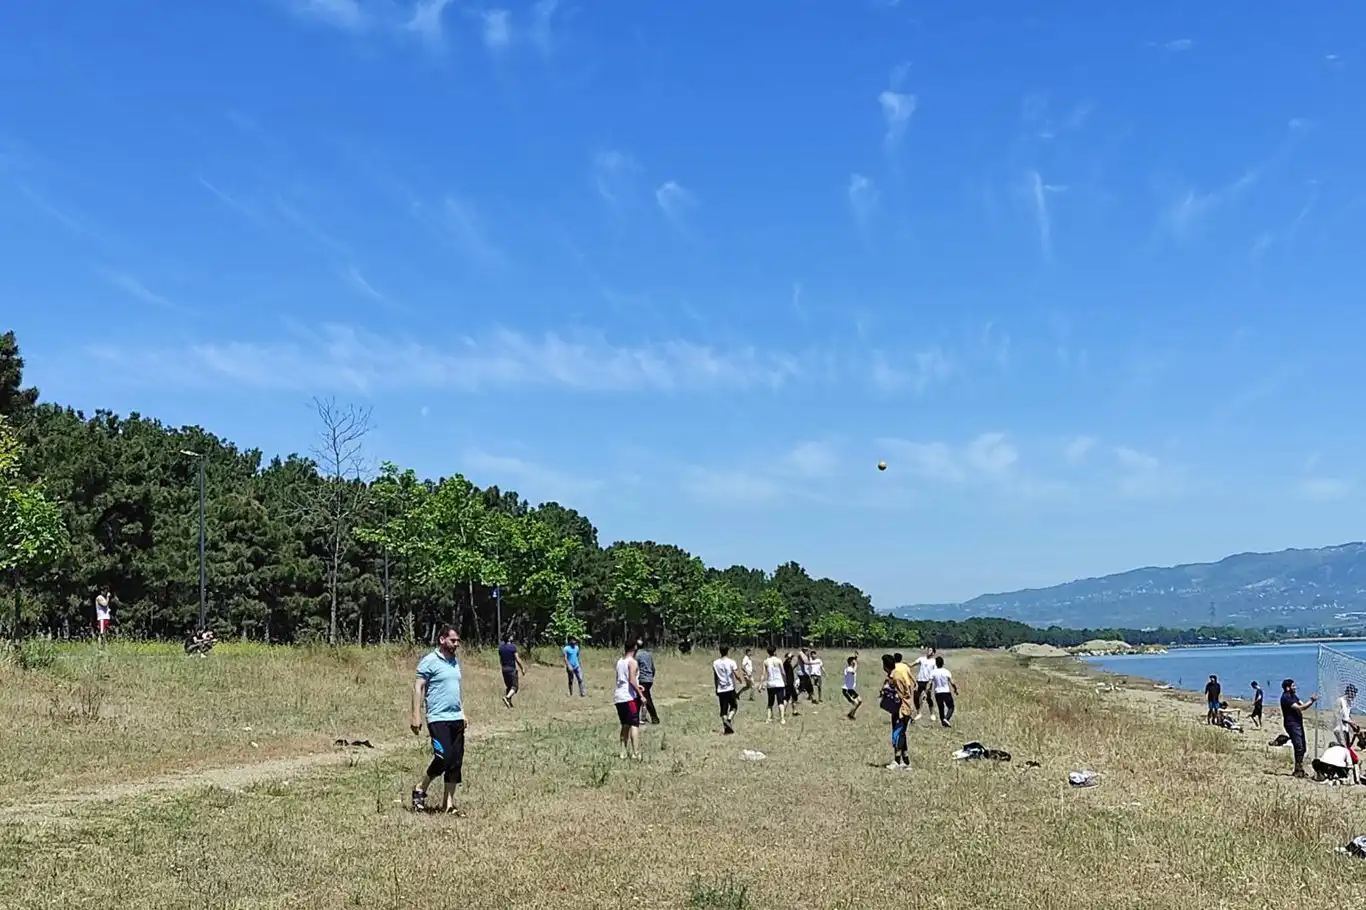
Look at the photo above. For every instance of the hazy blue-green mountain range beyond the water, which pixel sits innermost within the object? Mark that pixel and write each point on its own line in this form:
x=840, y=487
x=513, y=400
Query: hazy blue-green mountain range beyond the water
x=1293, y=588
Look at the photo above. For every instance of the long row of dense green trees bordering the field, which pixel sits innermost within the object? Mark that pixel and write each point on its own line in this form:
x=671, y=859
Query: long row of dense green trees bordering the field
x=316, y=547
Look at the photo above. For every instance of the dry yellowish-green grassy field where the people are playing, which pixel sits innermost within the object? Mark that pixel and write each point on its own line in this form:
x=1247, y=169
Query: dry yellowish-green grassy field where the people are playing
x=115, y=796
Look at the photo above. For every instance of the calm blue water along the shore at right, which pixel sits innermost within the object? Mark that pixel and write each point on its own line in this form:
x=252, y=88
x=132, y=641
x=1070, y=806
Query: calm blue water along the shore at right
x=1237, y=667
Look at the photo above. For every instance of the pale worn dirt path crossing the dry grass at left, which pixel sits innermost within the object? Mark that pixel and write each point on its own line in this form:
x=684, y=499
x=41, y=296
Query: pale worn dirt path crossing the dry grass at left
x=57, y=808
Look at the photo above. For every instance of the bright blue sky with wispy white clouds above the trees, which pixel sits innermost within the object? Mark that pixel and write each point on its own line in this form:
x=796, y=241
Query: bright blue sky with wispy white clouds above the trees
x=1088, y=278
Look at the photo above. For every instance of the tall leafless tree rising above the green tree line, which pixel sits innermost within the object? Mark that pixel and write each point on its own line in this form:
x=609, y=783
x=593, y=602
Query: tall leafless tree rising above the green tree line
x=341, y=458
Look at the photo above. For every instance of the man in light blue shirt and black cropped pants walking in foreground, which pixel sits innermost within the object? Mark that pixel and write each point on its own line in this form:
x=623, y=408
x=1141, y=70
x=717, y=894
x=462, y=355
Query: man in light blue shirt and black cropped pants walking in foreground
x=436, y=698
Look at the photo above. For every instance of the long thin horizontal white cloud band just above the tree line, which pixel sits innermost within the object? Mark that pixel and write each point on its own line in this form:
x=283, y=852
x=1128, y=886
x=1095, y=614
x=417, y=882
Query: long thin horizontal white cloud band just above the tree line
x=341, y=357
